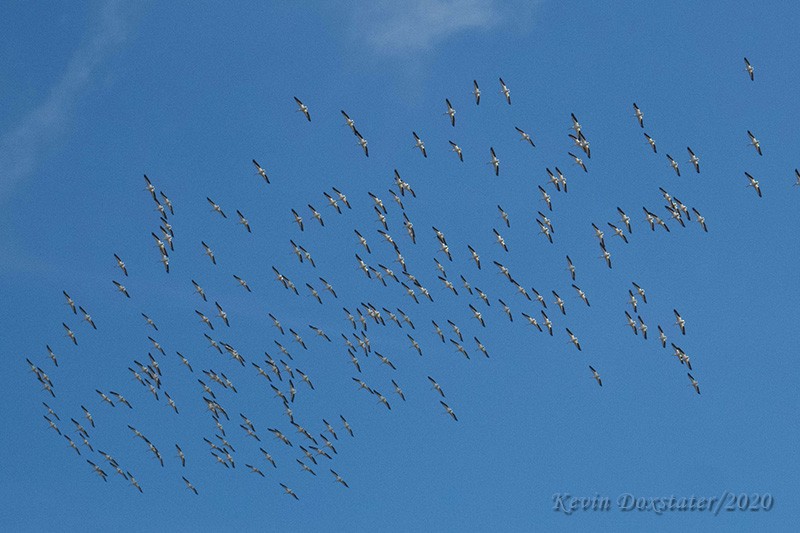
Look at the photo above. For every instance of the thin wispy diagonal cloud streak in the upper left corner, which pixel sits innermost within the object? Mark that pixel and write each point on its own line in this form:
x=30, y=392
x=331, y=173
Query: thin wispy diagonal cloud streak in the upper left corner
x=23, y=147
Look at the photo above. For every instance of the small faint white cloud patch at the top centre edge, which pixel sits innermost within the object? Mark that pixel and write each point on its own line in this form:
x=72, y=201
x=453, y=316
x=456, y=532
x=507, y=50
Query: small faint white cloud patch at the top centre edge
x=404, y=28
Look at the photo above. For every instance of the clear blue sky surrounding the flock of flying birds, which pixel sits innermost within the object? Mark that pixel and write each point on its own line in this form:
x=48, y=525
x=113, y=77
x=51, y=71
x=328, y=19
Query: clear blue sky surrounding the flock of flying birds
x=97, y=95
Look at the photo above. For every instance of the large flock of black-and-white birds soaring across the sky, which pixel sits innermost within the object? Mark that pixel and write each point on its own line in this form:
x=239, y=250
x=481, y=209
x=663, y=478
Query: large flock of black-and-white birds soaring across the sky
x=314, y=447
